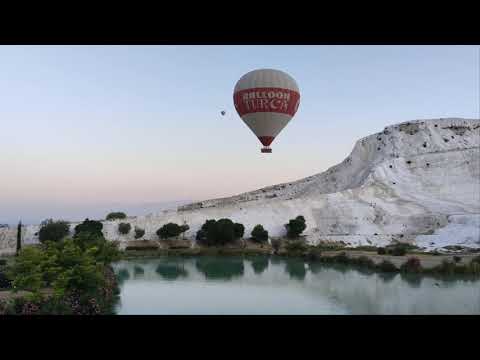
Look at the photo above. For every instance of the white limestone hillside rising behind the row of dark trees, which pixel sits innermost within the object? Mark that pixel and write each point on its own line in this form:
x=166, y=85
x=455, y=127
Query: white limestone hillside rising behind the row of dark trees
x=417, y=181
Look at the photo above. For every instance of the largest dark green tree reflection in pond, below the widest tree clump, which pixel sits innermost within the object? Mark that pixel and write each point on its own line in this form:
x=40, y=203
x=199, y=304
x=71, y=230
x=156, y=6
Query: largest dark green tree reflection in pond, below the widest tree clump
x=220, y=268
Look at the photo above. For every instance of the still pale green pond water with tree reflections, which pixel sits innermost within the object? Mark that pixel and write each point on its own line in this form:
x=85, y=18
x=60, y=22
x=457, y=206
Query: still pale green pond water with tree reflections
x=262, y=285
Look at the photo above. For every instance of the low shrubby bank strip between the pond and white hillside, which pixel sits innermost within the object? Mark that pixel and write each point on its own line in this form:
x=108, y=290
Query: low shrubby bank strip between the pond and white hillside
x=408, y=259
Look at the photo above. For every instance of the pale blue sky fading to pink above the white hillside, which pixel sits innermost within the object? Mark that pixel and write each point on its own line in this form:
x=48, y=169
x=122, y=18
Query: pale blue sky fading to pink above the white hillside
x=83, y=127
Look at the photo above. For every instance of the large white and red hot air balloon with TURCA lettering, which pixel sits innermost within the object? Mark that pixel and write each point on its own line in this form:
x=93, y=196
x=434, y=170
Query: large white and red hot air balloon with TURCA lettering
x=266, y=100
